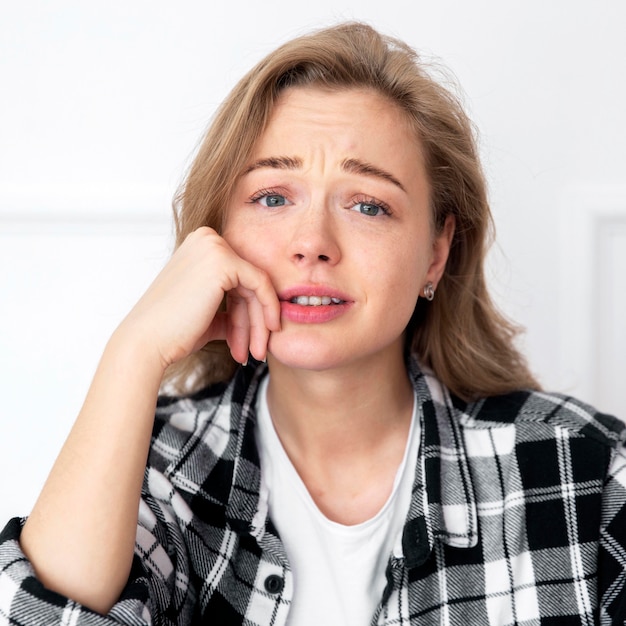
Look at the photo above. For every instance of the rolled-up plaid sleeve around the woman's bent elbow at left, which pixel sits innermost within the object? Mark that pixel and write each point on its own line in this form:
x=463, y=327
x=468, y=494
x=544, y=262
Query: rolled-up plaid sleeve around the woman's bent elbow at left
x=157, y=592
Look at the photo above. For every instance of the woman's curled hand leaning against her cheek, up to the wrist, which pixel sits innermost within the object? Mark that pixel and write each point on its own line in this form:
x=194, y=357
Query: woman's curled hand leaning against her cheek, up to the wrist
x=180, y=311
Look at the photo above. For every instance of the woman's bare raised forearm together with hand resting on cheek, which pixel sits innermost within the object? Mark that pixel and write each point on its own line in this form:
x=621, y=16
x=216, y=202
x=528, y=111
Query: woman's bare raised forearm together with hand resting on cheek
x=81, y=532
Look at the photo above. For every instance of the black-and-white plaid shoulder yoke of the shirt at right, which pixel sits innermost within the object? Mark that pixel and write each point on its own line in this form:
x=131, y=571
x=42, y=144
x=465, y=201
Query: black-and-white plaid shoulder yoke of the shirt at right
x=541, y=410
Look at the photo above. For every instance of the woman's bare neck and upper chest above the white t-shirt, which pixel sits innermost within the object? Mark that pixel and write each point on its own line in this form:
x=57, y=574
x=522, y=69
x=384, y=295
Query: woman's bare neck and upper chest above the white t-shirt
x=345, y=432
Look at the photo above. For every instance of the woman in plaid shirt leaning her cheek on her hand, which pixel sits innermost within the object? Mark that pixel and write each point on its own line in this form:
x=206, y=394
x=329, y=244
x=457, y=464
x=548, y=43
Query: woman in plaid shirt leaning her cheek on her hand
x=393, y=461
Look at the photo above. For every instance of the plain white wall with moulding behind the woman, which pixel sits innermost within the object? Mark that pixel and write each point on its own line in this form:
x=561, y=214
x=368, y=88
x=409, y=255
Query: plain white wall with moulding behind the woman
x=102, y=103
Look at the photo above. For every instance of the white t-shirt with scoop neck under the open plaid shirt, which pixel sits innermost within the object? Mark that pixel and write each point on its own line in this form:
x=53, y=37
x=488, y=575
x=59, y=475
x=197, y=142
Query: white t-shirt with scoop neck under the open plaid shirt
x=339, y=571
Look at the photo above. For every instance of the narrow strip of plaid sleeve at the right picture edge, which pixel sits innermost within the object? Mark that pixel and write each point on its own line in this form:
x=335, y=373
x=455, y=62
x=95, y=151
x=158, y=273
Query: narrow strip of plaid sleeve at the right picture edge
x=612, y=553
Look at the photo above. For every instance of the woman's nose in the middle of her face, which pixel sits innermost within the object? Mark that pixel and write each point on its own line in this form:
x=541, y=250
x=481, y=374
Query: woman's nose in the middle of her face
x=315, y=237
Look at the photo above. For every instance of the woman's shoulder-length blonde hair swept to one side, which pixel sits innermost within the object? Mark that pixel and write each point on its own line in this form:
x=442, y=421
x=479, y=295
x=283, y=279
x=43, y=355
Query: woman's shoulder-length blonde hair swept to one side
x=460, y=335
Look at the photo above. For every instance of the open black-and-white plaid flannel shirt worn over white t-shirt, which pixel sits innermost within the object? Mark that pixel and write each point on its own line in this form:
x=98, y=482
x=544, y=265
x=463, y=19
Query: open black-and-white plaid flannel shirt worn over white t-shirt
x=518, y=516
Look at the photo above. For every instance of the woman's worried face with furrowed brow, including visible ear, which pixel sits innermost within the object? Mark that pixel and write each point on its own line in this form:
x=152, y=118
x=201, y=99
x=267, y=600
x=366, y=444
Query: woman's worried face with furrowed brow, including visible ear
x=334, y=206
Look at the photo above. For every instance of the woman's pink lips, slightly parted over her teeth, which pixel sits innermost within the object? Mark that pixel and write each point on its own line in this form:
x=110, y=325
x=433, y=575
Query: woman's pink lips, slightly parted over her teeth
x=313, y=314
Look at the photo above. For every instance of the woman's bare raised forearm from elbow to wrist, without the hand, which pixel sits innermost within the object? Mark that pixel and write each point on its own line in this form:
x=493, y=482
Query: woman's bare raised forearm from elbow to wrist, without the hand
x=80, y=535
